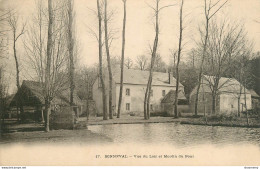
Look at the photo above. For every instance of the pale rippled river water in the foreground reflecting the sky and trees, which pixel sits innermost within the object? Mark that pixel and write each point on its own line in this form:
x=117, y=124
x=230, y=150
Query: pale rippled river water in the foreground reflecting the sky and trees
x=177, y=134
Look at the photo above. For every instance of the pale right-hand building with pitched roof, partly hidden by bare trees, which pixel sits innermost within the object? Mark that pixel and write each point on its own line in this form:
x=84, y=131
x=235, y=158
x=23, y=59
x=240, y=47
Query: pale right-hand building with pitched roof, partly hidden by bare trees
x=227, y=96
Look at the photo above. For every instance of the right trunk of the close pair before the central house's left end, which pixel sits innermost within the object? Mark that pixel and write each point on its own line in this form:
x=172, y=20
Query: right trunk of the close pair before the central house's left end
x=110, y=102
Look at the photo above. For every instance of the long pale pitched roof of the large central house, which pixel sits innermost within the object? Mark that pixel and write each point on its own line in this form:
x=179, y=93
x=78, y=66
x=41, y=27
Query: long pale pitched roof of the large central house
x=139, y=77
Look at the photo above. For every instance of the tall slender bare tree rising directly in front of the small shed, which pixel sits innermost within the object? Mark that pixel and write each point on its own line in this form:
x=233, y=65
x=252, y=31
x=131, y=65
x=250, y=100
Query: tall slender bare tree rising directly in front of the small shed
x=178, y=61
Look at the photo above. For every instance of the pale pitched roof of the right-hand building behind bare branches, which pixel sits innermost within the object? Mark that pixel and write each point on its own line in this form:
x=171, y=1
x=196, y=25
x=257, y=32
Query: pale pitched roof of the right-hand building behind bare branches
x=226, y=85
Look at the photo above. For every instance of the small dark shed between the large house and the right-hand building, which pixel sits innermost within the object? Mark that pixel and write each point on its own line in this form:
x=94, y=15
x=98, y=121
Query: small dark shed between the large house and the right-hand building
x=167, y=103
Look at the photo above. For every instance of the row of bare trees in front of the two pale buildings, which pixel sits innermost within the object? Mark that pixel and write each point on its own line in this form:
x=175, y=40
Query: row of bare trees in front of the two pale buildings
x=222, y=43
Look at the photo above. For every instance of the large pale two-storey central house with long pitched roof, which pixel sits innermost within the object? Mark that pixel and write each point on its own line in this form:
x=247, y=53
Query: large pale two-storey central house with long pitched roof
x=135, y=82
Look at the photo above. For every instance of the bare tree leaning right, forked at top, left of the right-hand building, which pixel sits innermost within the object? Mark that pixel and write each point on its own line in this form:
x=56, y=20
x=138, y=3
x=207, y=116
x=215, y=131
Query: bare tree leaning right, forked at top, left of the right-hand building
x=210, y=10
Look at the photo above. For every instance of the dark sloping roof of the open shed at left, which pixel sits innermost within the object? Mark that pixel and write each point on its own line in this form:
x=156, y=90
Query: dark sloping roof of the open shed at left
x=62, y=97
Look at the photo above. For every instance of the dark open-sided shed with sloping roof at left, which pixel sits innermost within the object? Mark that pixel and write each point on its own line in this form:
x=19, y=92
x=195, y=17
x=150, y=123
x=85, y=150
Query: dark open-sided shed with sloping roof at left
x=33, y=100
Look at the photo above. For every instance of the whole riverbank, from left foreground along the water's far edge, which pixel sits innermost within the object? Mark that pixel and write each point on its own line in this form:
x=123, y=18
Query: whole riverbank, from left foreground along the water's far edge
x=34, y=132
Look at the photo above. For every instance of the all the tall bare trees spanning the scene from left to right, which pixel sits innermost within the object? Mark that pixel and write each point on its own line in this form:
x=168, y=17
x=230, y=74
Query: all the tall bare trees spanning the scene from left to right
x=50, y=44
